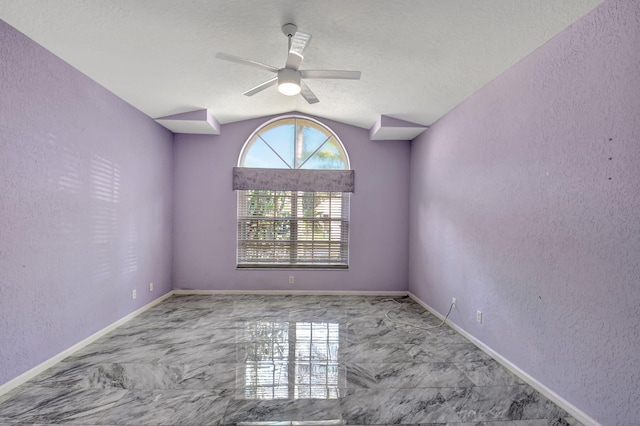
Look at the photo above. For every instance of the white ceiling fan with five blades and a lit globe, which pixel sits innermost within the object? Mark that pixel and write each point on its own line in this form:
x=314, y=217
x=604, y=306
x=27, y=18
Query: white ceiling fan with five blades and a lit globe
x=290, y=78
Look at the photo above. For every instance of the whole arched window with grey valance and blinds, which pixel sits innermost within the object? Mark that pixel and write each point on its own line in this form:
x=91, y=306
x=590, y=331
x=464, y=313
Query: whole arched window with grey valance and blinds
x=294, y=182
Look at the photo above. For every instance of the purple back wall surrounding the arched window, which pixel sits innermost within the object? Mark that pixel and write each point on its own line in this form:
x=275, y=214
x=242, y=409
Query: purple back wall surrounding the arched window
x=205, y=216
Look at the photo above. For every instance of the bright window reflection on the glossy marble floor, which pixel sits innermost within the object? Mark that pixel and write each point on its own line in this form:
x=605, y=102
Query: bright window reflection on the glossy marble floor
x=293, y=360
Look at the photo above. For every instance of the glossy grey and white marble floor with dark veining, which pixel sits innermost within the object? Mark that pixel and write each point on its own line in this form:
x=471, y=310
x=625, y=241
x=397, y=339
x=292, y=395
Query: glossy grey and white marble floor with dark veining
x=280, y=360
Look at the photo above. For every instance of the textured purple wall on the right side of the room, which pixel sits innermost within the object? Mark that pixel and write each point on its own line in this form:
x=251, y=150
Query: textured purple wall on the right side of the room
x=525, y=204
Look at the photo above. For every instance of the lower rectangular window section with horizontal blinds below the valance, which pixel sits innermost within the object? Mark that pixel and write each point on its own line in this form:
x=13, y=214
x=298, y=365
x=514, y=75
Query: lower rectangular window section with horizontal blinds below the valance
x=291, y=229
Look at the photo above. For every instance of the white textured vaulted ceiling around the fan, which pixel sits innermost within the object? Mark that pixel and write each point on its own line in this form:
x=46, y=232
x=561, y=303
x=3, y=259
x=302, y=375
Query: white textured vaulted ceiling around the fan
x=419, y=58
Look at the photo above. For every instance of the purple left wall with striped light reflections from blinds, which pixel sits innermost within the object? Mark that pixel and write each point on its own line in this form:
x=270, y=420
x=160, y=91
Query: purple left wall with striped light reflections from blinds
x=85, y=206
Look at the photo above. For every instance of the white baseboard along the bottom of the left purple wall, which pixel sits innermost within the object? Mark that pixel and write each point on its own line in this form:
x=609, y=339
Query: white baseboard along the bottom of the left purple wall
x=30, y=374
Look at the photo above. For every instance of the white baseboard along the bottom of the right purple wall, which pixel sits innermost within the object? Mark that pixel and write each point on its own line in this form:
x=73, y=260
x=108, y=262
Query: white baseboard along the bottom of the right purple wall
x=528, y=379
